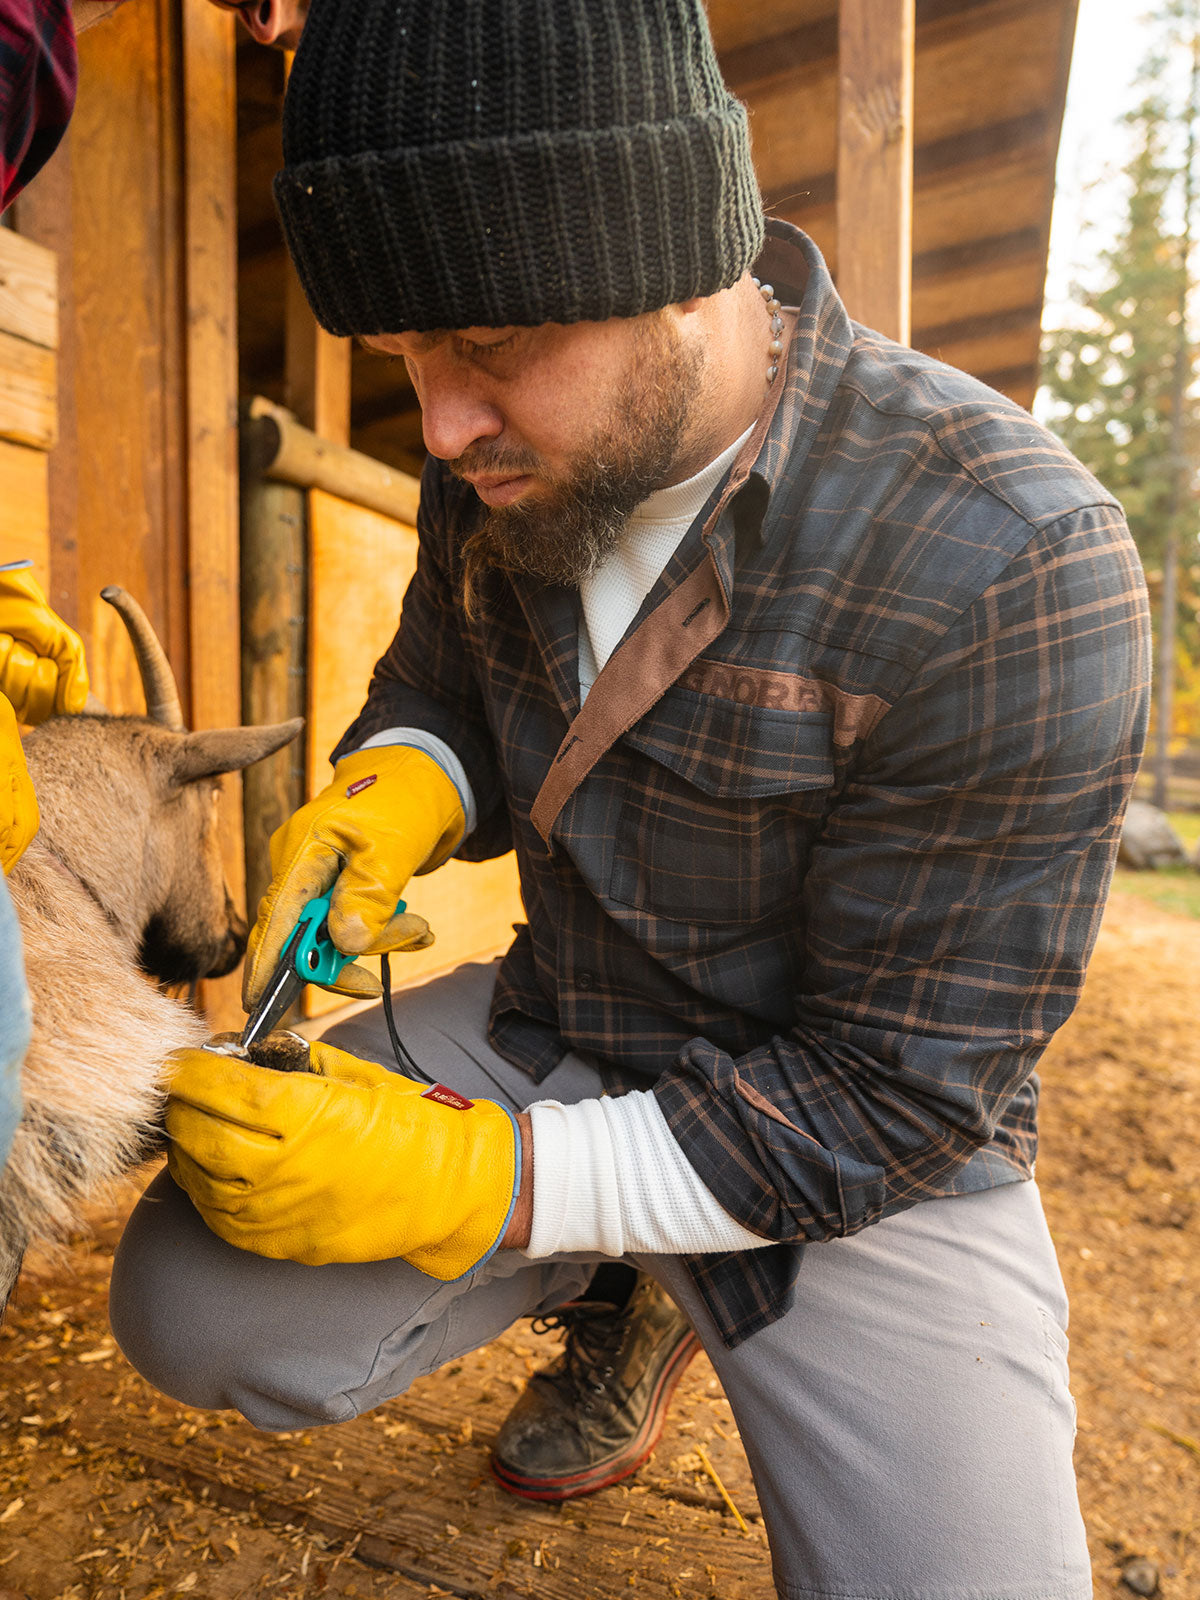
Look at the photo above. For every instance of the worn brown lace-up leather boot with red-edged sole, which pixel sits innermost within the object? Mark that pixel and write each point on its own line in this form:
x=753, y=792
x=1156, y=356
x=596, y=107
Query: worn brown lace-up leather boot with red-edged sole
x=596, y=1415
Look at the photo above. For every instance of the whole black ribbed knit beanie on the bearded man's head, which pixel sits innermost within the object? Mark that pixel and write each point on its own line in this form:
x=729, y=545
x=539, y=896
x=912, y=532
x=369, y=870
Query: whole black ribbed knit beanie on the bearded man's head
x=455, y=164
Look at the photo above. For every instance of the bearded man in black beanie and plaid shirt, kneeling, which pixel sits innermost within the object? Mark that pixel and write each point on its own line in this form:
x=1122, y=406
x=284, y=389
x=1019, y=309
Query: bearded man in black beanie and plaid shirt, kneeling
x=809, y=681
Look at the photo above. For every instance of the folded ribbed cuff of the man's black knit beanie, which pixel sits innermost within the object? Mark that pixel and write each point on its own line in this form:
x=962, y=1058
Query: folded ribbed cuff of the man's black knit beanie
x=566, y=226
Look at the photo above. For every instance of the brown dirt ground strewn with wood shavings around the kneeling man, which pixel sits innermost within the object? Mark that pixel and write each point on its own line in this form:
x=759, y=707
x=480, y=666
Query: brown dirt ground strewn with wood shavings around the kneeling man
x=110, y=1492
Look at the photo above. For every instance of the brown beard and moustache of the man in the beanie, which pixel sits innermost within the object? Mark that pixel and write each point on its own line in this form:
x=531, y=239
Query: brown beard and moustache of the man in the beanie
x=566, y=532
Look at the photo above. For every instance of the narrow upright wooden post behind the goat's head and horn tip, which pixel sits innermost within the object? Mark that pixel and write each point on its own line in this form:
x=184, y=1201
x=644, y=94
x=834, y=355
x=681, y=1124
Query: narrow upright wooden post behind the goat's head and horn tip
x=210, y=346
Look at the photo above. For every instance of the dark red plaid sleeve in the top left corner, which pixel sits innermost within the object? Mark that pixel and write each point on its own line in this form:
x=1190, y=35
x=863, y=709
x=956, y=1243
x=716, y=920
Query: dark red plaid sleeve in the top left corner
x=38, y=87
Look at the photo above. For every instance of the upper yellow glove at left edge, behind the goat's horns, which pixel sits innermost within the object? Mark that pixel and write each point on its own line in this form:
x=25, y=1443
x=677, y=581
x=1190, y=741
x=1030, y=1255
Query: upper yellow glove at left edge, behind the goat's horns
x=42, y=668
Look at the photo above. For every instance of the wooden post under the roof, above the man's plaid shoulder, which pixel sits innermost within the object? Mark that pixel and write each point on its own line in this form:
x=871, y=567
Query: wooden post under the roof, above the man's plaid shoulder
x=874, y=162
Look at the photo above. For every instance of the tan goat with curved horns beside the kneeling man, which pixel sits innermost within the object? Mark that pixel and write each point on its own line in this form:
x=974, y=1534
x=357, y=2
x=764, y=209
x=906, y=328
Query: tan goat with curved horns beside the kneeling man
x=124, y=881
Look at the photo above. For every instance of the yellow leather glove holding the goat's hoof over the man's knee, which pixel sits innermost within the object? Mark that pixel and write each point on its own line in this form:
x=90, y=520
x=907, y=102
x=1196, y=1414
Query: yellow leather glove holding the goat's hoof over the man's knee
x=348, y=1162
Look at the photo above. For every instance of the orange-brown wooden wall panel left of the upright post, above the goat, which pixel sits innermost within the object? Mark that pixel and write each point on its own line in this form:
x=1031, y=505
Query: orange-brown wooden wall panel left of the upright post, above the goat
x=118, y=478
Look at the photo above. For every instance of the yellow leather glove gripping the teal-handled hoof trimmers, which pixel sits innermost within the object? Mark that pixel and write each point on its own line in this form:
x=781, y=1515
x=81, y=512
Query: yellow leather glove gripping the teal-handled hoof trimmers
x=390, y=812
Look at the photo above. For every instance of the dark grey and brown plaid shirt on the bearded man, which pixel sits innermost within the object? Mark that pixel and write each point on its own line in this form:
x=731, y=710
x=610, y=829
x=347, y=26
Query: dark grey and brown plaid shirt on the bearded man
x=834, y=890
